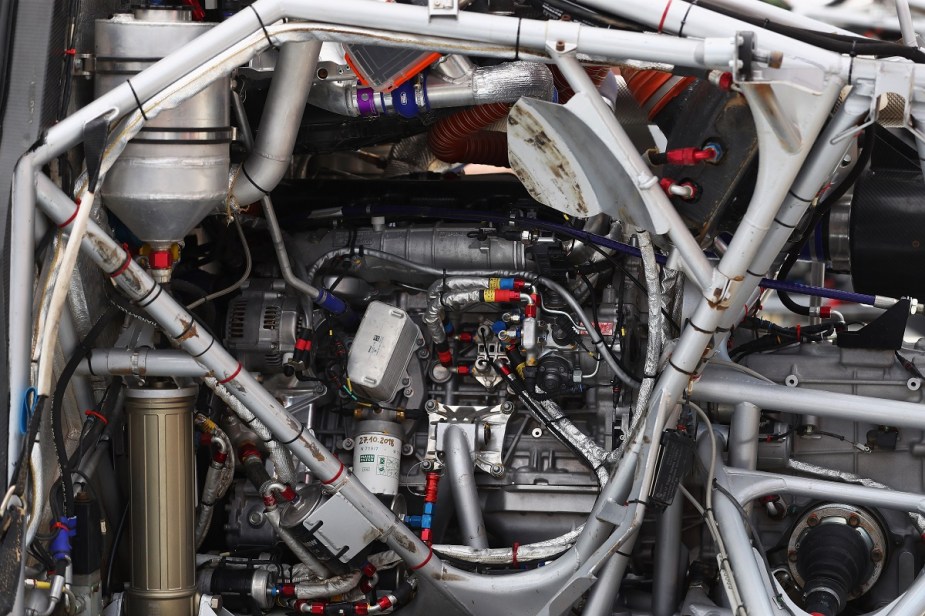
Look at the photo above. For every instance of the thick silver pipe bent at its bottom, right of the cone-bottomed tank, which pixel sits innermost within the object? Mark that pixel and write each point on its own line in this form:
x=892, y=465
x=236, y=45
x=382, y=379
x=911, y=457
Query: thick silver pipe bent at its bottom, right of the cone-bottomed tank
x=279, y=126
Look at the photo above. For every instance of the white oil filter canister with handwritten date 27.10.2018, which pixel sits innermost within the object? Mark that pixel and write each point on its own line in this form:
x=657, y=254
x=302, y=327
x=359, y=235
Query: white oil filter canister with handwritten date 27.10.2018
x=377, y=456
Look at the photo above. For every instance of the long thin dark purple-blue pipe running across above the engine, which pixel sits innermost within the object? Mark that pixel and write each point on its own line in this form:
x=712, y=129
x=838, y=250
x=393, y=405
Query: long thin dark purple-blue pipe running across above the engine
x=603, y=241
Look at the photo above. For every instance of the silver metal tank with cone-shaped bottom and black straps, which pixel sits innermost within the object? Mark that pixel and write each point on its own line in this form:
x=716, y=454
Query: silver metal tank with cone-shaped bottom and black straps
x=175, y=171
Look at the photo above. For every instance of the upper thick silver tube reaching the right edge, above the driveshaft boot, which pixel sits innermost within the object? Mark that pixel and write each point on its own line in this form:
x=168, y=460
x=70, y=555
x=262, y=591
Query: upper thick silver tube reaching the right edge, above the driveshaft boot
x=721, y=385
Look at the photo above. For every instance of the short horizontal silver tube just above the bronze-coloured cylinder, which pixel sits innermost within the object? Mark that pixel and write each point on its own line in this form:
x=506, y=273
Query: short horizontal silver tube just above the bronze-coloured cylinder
x=141, y=362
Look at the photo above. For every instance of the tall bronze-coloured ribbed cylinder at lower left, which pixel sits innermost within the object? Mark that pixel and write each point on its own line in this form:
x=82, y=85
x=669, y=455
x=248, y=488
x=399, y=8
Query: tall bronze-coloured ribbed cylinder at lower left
x=160, y=433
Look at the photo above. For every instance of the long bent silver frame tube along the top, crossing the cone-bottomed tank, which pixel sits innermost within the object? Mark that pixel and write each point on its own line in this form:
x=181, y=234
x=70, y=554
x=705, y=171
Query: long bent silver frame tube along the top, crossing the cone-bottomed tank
x=527, y=35
